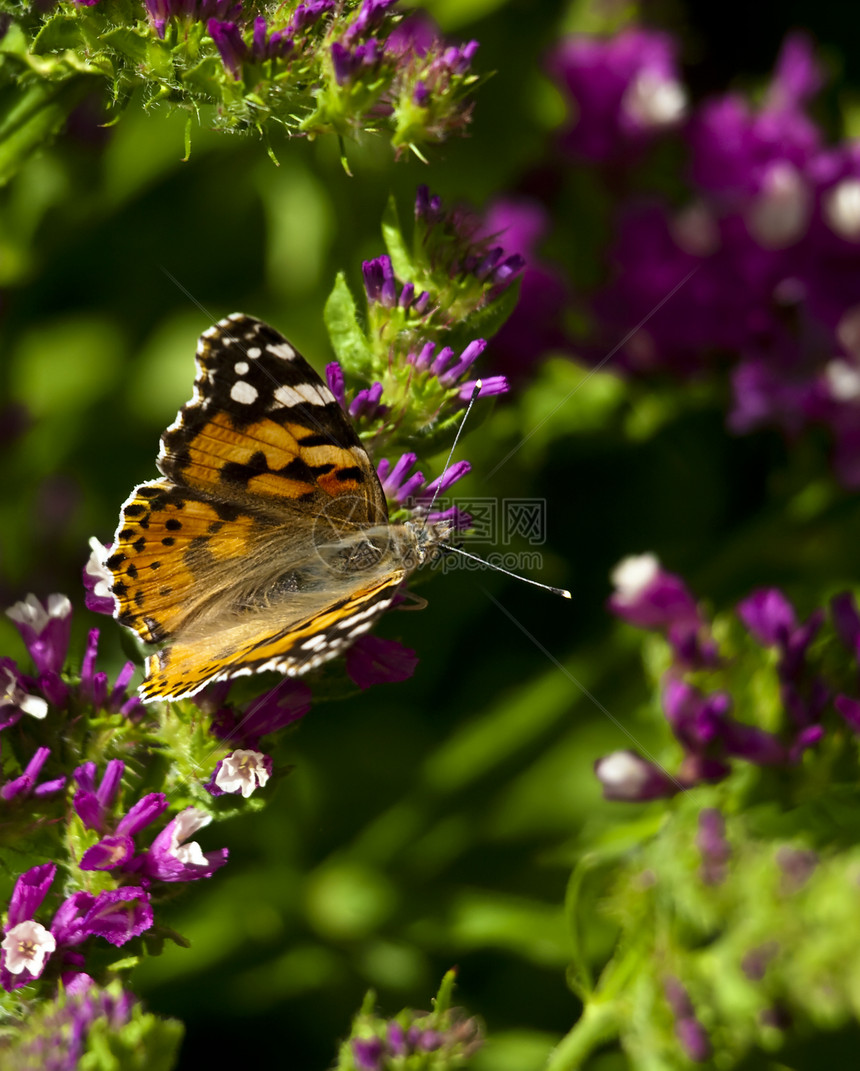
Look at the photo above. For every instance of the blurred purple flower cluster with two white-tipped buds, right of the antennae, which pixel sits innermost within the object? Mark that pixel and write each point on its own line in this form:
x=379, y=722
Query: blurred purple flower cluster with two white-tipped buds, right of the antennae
x=711, y=736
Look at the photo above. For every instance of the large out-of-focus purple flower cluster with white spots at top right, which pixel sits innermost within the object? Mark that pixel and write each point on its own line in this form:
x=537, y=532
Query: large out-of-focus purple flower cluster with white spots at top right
x=755, y=271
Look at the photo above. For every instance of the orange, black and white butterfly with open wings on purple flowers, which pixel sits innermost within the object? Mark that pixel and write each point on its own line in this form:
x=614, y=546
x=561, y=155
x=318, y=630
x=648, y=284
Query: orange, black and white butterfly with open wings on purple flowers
x=267, y=544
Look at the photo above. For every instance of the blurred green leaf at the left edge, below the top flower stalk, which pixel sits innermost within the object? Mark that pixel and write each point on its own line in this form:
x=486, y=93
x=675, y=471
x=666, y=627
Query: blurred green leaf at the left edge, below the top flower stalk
x=32, y=116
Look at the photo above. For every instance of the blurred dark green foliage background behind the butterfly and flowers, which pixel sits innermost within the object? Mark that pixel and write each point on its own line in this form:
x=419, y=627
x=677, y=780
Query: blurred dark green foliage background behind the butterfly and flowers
x=431, y=823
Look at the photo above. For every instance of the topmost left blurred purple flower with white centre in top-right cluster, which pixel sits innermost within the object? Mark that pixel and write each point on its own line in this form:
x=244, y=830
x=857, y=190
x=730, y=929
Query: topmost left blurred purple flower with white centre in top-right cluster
x=624, y=89
